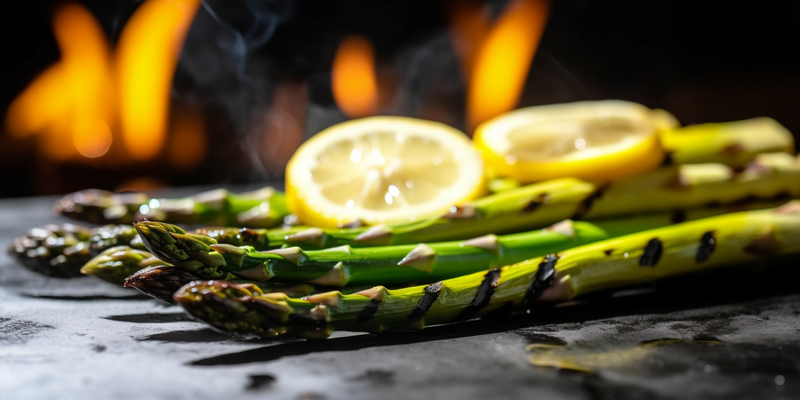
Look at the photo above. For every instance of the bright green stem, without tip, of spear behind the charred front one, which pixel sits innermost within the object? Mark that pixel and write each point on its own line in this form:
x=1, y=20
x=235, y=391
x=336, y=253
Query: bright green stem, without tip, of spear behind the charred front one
x=397, y=265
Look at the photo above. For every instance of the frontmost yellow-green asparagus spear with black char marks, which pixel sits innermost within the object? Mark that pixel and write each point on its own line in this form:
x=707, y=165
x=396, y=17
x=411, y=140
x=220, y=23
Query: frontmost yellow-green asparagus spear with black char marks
x=632, y=259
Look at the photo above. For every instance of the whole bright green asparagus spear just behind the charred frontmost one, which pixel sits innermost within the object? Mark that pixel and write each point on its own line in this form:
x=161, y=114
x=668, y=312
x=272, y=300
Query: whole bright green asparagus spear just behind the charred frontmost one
x=399, y=264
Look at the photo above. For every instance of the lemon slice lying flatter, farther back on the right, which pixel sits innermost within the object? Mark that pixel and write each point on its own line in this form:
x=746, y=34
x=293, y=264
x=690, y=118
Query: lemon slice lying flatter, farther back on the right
x=593, y=140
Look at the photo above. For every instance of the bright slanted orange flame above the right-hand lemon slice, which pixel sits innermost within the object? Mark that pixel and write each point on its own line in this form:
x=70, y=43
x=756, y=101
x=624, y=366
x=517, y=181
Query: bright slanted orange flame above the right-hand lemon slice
x=504, y=59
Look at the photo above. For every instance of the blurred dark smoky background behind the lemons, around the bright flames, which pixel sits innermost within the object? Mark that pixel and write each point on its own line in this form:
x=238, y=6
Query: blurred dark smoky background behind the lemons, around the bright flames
x=257, y=74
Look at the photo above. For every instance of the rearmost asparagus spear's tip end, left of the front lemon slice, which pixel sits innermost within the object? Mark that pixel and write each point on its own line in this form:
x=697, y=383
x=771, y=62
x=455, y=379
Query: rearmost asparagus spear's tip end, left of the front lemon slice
x=263, y=208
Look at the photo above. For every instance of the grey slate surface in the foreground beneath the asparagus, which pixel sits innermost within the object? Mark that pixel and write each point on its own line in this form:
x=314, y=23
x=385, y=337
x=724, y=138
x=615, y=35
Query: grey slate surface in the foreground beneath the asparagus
x=83, y=339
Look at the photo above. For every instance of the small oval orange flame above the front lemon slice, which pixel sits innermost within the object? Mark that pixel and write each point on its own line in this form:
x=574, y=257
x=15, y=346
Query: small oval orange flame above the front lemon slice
x=353, y=78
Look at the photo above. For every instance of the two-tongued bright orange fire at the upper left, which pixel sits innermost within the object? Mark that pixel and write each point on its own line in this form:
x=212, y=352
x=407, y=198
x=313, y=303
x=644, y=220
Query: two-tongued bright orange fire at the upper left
x=91, y=92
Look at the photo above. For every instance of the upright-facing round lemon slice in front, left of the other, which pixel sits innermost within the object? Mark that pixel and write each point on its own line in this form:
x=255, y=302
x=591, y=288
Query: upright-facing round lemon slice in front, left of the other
x=382, y=170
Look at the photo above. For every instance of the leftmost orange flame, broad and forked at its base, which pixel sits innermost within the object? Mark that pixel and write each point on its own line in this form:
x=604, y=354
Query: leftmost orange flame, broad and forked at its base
x=70, y=101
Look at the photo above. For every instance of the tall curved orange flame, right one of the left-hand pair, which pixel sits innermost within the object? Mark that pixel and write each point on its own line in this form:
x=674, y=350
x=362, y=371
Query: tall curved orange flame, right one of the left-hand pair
x=147, y=53
